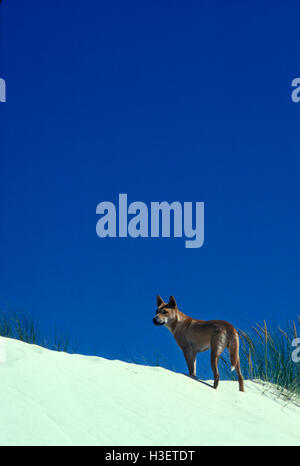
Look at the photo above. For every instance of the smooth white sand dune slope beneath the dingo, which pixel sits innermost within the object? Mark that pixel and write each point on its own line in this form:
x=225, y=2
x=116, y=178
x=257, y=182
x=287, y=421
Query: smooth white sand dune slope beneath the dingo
x=51, y=398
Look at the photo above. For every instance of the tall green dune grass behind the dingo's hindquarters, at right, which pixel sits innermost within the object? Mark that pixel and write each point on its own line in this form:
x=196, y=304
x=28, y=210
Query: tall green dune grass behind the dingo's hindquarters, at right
x=266, y=356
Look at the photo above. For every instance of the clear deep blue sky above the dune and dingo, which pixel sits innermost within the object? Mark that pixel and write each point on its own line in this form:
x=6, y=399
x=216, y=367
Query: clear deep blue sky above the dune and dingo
x=163, y=101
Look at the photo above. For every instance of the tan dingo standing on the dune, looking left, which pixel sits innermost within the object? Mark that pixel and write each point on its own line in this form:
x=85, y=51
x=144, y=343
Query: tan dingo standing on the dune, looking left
x=194, y=336
